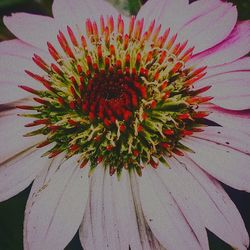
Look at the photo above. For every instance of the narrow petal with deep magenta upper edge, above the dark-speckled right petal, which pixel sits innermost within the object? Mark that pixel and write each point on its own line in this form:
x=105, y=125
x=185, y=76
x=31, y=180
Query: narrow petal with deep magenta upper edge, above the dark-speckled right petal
x=239, y=120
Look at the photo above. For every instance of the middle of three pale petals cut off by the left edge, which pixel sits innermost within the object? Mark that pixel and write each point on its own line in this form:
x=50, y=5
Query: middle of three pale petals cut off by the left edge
x=11, y=133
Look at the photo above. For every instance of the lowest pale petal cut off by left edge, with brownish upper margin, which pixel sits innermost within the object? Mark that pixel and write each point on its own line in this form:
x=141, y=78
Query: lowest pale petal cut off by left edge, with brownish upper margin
x=19, y=171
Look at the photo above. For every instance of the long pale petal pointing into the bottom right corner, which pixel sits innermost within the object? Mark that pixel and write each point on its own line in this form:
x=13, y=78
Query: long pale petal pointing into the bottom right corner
x=198, y=193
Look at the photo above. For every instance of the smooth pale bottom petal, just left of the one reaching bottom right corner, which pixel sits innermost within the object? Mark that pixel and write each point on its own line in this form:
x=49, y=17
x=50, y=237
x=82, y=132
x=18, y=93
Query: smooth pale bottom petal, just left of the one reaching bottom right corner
x=162, y=214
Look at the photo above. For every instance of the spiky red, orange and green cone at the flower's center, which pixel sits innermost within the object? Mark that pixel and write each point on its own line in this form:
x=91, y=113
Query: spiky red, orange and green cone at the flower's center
x=121, y=97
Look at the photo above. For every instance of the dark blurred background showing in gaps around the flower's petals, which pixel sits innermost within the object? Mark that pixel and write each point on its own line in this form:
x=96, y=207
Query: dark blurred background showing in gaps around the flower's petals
x=12, y=210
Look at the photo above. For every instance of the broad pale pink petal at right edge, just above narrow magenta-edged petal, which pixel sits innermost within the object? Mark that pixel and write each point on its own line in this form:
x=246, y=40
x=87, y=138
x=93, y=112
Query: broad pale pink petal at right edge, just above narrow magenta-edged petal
x=231, y=90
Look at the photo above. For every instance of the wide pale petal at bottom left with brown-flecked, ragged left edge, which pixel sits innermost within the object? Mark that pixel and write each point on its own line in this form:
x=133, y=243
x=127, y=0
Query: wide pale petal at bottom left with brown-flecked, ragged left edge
x=57, y=207
